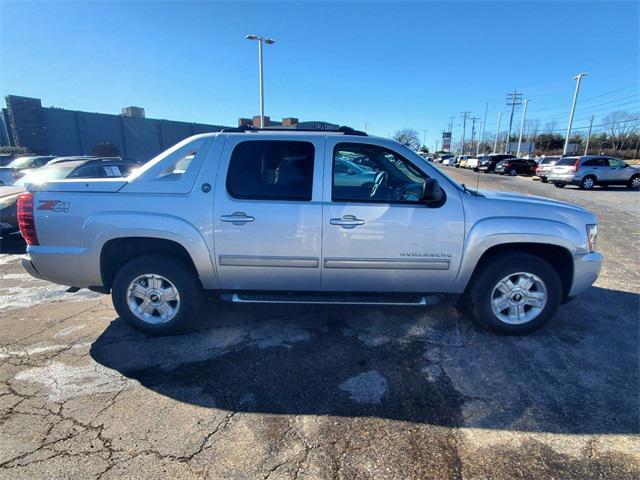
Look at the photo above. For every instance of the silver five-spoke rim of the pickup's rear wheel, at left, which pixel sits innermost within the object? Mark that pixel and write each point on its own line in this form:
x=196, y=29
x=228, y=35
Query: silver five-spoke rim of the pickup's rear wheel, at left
x=153, y=299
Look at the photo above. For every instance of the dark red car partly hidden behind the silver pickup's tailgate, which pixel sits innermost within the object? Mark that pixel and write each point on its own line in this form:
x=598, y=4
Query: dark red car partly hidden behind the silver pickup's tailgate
x=92, y=168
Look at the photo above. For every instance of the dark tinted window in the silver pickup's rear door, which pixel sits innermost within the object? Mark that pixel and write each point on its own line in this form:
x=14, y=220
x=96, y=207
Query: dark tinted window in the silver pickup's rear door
x=271, y=170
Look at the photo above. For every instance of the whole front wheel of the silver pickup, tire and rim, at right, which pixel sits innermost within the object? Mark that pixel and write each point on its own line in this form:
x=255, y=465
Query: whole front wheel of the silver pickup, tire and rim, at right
x=517, y=294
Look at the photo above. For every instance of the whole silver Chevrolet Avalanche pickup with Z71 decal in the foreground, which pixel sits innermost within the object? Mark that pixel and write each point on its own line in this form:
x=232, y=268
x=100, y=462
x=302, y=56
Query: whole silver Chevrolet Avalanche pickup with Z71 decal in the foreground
x=306, y=217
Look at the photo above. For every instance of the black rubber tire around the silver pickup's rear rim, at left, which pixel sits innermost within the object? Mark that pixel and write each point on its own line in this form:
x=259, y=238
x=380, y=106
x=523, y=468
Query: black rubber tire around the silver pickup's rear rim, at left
x=183, y=278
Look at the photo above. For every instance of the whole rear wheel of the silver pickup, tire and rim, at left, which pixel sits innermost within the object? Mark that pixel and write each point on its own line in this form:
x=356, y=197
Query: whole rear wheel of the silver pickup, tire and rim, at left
x=156, y=295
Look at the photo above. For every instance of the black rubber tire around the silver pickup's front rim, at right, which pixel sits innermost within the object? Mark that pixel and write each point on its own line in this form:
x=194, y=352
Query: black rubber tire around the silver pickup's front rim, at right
x=478, y=295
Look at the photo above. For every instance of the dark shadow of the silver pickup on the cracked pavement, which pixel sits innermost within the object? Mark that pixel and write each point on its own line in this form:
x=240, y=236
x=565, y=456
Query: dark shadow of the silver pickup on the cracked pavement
x=577, y=375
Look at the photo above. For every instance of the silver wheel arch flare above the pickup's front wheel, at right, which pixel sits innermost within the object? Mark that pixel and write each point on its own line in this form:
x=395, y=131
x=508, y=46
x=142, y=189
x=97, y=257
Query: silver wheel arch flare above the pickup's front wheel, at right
x=490, y=232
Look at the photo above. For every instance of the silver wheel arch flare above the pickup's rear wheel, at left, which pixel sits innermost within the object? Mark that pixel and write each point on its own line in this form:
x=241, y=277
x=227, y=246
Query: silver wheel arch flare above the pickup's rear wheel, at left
x=99, y=228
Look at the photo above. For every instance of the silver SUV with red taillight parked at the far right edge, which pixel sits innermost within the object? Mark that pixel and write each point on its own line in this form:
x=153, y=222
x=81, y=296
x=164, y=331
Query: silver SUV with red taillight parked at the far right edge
x=591, y=170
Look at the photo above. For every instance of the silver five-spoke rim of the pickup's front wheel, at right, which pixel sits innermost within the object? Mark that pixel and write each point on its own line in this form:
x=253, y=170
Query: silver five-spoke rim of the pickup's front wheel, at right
x=518, y=298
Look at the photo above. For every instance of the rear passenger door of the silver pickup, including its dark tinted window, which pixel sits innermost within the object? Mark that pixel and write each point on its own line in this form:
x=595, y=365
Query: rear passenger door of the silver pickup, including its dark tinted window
x=268, y=213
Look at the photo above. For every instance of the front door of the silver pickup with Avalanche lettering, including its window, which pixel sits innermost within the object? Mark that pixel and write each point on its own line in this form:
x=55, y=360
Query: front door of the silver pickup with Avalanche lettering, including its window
x=377, y=234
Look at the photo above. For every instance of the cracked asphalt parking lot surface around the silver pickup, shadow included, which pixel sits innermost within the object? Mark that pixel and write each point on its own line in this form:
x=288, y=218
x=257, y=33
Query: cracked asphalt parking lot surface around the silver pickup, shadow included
x=329, y=392
